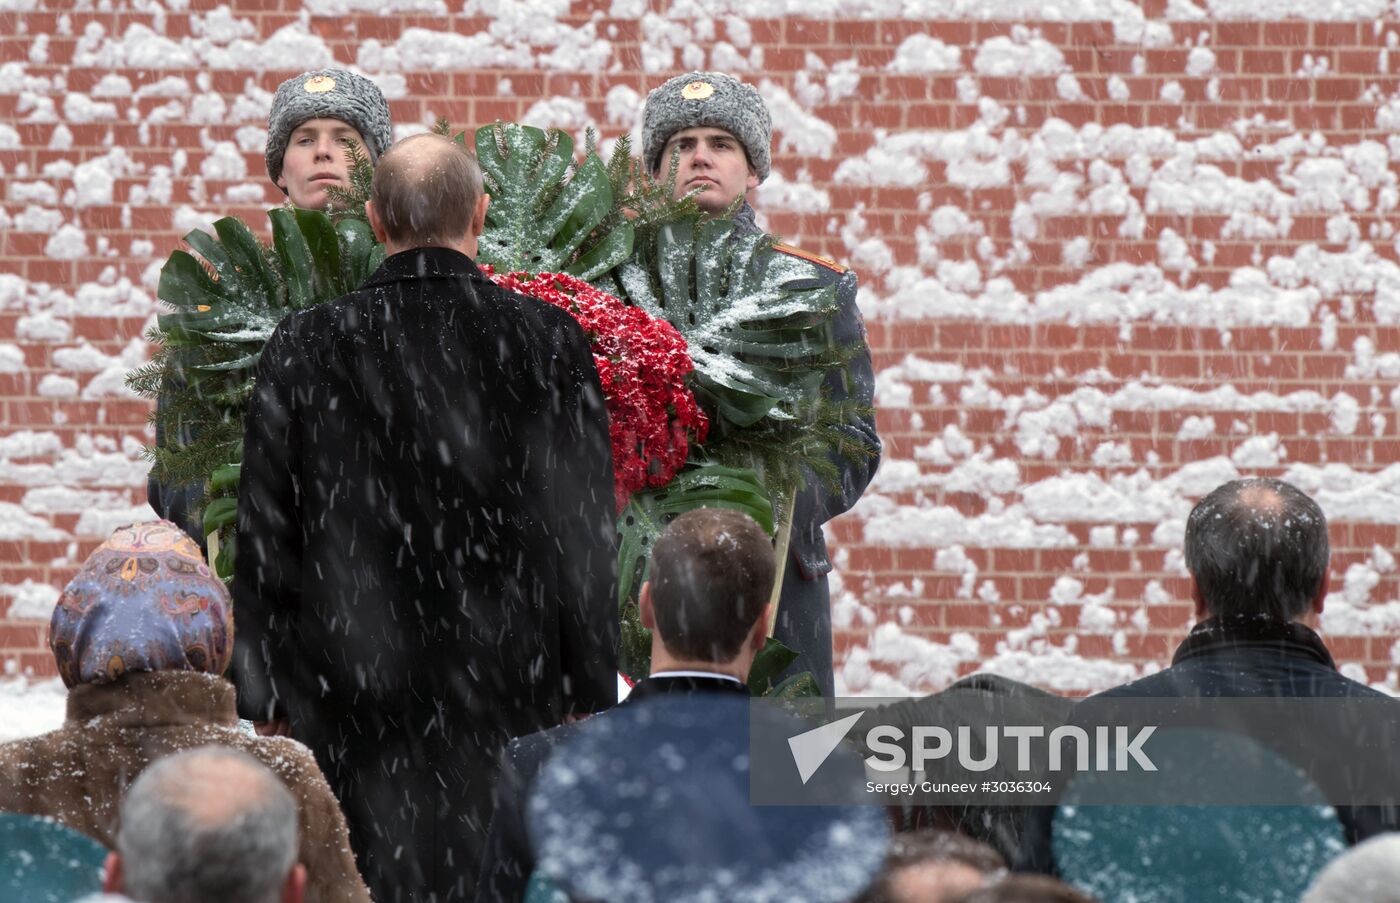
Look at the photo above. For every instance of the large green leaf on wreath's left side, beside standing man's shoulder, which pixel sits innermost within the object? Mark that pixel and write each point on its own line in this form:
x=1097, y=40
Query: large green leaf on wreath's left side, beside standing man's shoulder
x=225, y=306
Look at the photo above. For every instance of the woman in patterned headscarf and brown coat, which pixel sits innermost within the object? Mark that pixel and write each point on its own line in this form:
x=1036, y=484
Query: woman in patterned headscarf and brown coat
x=142, y=636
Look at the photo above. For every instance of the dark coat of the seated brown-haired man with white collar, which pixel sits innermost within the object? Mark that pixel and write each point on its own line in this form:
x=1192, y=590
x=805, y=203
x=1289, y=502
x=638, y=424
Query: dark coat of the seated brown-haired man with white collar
x=506, y=871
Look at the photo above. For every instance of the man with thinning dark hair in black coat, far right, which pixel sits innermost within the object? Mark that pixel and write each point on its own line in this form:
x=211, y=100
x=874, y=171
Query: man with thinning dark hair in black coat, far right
x=1258, y=555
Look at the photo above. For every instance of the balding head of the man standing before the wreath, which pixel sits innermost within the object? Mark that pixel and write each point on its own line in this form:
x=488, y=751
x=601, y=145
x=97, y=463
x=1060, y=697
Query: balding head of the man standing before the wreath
x=428, y=194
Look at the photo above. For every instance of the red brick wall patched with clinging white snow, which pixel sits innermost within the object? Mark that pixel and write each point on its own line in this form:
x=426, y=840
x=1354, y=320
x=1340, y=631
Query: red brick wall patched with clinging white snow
x=1108, y=261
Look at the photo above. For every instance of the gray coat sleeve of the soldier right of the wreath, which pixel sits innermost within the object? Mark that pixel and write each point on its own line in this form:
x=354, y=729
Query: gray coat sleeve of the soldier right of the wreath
x=856, y=381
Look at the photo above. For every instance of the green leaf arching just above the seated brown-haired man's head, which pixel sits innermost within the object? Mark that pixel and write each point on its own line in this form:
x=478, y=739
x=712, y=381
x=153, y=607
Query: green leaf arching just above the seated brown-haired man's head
x=647, y=514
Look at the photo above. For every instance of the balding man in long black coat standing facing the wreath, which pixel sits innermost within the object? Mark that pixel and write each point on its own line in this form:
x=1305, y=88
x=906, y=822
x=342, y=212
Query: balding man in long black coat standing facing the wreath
x=426, y=531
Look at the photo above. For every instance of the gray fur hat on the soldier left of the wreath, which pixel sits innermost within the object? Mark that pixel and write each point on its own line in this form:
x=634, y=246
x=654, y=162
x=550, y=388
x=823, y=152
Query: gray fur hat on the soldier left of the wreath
x=327, y=94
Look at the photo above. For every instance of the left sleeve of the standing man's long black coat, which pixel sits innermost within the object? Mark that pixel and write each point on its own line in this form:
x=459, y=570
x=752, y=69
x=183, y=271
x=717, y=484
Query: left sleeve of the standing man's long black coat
x=268, y=566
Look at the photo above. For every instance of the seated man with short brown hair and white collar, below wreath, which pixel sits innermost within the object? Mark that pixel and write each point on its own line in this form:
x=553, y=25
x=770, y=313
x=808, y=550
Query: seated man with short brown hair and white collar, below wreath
x=706, y=604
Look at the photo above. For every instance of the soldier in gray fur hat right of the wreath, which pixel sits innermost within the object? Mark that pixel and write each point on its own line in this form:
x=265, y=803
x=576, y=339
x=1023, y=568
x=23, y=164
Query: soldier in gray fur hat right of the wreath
x=723, y=134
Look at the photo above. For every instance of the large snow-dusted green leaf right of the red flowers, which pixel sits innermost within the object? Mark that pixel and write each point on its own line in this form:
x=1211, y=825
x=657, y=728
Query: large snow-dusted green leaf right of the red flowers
x=761, y=331
